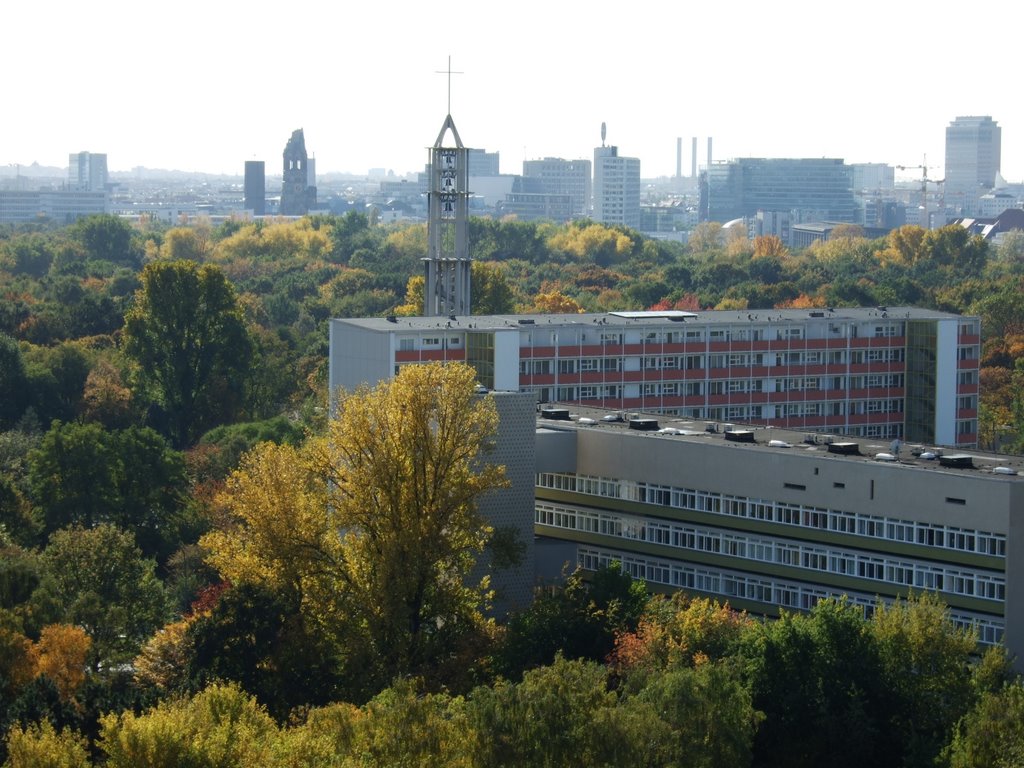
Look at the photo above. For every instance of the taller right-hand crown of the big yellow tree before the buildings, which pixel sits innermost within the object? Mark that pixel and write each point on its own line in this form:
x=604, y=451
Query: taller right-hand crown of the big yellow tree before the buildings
x=407, y=464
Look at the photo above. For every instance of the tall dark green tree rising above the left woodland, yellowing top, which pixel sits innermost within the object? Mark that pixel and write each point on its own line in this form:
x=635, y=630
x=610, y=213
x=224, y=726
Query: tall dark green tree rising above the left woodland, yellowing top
x=188, y=339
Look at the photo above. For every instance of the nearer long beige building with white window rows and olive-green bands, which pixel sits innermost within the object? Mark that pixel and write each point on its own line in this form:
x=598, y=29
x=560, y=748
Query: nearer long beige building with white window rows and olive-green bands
x=767, y=519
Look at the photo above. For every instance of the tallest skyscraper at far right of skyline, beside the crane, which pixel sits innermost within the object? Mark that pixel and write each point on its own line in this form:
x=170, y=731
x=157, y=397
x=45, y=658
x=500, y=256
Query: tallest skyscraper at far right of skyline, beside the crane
x=973, y=146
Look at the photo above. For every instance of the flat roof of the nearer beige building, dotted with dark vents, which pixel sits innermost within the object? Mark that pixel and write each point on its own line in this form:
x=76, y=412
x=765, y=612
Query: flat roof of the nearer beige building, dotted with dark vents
x=760, y=438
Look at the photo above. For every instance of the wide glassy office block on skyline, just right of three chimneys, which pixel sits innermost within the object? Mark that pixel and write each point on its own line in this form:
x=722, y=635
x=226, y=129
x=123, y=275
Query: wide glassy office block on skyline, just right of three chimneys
x=809, y=189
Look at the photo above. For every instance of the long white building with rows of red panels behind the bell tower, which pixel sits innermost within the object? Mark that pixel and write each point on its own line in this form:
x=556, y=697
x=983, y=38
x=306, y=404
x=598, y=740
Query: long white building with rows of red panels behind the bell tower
x=883, y=373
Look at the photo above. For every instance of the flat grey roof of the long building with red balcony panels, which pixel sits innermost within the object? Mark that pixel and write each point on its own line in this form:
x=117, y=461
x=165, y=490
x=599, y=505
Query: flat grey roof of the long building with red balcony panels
x=503, y=322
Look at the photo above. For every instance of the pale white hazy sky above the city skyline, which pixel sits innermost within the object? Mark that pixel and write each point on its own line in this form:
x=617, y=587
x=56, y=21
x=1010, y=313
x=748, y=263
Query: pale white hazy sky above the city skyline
x=205, y=87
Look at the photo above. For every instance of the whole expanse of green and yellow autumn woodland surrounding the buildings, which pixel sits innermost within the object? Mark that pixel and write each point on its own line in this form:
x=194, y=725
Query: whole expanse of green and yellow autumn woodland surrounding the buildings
x=174, y=591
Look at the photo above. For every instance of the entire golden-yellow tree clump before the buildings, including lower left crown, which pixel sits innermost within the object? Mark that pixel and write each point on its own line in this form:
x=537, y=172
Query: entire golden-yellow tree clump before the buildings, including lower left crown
x=374, y=528
